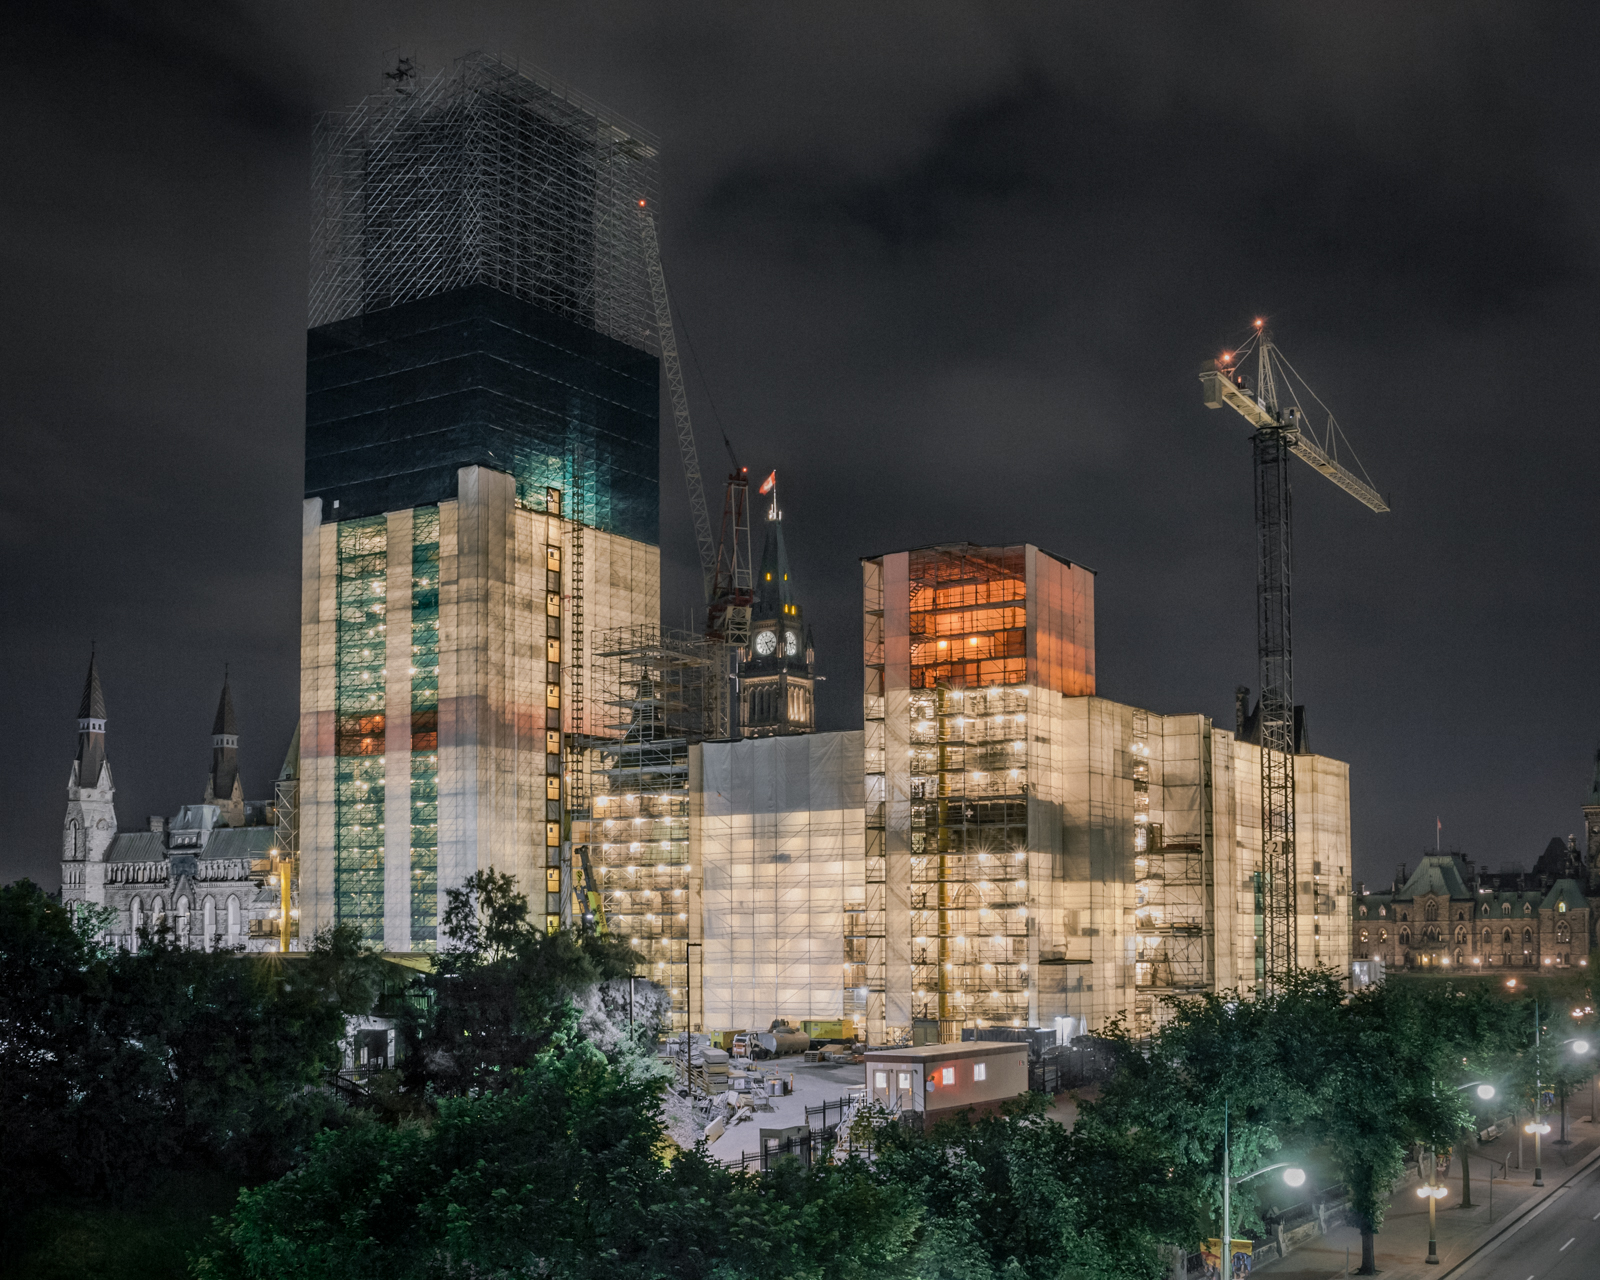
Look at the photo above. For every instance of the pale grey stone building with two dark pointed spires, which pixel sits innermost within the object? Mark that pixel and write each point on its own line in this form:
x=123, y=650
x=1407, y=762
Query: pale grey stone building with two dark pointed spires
x=207, y=876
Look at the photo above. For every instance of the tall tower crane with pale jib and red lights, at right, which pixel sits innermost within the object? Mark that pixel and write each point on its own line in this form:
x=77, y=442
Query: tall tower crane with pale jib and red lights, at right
x=1271, y=402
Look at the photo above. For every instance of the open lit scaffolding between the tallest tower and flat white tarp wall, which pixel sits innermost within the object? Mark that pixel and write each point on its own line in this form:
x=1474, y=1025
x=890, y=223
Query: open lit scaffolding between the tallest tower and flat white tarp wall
x=636, y=818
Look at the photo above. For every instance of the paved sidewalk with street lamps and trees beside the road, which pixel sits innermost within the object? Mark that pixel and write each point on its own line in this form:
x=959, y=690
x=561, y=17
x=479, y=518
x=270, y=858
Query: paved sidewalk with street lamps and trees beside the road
x=1402, y=1244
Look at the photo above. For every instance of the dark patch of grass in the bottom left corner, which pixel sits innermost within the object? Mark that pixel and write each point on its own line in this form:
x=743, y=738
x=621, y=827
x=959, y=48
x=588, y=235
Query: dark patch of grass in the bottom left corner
x=150, y=1238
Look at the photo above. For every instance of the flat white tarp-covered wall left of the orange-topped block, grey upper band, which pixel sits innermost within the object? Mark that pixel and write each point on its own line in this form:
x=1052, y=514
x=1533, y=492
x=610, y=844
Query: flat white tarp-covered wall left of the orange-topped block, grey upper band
x=778, y=844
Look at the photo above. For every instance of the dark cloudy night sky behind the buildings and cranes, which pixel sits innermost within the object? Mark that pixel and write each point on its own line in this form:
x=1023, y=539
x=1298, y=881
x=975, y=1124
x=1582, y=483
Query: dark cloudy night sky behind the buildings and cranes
x=953, y=270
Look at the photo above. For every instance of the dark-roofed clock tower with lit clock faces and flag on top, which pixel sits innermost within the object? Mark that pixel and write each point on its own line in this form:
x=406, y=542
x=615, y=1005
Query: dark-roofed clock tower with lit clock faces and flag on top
x=777, y=674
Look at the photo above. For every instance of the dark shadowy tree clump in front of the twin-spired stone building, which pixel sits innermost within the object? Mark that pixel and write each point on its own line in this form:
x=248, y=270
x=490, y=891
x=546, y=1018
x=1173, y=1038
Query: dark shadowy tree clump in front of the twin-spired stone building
x=116, y=1063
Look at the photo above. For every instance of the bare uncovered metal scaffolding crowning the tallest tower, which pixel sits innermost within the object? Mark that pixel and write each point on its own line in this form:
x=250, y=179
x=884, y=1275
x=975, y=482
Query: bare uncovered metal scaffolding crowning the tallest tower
x=482, y=174
